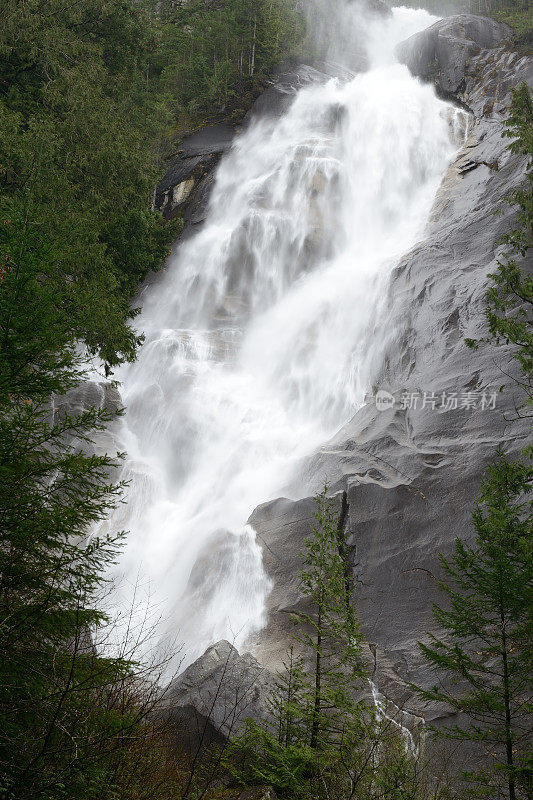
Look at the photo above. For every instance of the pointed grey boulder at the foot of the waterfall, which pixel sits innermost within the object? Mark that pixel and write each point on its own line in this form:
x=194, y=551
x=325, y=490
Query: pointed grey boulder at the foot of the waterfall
x=223, y=686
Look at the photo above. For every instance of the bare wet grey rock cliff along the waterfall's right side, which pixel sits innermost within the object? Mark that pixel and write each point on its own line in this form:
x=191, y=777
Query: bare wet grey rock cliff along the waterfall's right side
x=411, y=468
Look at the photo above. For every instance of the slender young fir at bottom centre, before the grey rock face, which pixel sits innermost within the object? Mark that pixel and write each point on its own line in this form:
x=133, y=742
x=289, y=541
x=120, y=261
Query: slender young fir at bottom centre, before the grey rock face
x=323, y=740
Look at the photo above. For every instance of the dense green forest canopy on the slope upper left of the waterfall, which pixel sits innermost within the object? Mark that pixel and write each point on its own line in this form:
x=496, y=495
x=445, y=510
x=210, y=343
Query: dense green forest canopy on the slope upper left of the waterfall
x=88, y=92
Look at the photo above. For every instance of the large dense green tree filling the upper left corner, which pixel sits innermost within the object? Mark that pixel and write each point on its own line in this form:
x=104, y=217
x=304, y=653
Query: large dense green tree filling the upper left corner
x=80, y=124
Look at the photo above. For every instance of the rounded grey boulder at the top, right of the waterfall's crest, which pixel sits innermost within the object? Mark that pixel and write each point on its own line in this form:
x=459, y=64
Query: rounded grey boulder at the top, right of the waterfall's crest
x=440, y=53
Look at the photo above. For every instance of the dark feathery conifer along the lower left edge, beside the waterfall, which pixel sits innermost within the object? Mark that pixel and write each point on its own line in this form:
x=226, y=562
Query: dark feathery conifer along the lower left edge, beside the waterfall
x=69, y=714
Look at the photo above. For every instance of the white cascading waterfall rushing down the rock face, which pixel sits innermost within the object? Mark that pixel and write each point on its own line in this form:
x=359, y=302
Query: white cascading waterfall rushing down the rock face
x=264, y=334
